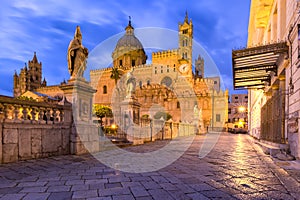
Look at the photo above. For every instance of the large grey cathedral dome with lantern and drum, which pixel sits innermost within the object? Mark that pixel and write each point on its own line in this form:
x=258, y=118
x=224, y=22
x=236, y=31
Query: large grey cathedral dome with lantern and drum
x=129, y=48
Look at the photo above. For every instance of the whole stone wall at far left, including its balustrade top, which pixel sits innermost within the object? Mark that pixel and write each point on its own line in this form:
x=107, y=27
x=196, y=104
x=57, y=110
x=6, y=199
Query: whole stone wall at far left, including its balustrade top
x=30, y=129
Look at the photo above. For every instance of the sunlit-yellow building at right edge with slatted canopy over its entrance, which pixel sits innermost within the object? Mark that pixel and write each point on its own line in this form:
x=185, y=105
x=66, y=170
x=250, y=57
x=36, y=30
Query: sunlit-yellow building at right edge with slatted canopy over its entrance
x=268, y=68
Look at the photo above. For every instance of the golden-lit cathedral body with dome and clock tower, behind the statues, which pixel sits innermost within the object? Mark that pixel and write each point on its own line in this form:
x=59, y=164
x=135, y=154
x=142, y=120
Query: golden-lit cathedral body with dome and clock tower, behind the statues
x=169, y=81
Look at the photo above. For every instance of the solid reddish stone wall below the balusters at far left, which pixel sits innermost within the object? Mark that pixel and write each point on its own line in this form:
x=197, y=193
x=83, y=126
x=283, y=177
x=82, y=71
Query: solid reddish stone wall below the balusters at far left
x=22, y=141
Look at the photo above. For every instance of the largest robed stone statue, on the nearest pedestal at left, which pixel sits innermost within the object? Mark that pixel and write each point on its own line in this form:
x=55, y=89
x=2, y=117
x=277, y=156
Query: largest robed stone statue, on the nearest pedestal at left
x=77, y=55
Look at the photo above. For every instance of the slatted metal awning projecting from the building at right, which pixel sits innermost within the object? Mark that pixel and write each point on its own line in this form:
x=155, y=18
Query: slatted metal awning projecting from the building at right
x=252, y=67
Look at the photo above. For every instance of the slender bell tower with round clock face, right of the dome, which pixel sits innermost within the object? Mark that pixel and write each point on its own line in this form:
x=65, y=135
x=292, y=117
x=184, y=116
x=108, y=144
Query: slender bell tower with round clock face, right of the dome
x=185, y=46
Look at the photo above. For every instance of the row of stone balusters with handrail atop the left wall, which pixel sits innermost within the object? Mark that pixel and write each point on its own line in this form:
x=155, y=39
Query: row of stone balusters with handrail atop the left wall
x=12, y=109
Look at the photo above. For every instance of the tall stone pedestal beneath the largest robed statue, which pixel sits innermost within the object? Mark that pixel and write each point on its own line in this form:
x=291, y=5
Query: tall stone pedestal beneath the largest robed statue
x=84, y=135
